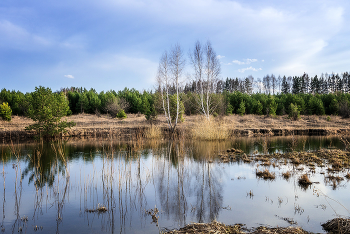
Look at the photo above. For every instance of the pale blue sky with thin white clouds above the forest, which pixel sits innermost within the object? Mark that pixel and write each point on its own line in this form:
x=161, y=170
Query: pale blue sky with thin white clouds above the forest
x=113, y=44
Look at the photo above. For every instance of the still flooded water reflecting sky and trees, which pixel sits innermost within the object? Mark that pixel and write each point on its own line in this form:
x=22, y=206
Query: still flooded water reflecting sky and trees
x=102, y=186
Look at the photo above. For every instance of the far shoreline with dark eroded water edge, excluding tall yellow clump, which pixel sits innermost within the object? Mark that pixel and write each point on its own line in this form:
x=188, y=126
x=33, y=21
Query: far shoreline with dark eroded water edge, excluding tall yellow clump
x=135, y=126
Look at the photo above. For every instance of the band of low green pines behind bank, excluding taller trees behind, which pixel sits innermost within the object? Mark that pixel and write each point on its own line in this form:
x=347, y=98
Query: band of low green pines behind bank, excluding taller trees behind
x=81, y=100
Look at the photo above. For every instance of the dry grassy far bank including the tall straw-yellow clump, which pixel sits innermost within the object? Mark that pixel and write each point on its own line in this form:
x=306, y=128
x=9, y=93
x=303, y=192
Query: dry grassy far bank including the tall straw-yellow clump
x=221, y=127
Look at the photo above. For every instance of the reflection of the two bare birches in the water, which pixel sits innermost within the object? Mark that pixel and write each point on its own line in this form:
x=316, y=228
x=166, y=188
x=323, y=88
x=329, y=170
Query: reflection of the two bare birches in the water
x=188, y=183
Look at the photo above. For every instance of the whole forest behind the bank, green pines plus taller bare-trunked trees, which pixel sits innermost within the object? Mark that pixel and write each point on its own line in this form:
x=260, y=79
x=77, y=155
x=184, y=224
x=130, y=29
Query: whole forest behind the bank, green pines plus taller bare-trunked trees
x=324, y=95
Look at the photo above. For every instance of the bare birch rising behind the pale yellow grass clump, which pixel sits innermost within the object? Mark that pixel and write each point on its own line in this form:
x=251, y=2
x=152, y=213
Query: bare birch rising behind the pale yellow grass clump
x=207, y=69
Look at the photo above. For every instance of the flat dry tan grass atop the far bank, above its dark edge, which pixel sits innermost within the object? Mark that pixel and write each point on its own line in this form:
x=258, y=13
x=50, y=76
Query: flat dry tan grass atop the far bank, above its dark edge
x=229, y=123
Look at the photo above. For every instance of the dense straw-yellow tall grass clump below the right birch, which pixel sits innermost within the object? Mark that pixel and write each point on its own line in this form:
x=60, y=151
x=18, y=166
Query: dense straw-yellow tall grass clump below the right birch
x=210, y=129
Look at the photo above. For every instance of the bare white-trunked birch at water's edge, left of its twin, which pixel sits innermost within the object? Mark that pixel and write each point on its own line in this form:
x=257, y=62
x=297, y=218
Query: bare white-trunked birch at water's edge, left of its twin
x=169, y=75
